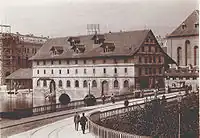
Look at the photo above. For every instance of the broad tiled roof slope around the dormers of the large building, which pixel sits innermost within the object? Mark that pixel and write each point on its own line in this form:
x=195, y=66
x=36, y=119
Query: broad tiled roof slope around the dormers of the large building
x=126, y=44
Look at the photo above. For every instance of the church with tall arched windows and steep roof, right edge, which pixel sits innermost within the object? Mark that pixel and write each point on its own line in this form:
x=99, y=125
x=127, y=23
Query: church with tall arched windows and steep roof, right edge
x=183, y=42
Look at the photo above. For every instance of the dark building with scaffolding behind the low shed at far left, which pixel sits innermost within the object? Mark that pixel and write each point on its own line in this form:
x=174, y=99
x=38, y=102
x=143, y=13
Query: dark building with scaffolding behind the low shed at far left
x=15, y=50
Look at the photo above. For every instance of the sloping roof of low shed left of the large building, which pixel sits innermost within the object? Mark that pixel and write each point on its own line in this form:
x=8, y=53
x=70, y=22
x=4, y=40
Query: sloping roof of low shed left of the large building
x=22, y=73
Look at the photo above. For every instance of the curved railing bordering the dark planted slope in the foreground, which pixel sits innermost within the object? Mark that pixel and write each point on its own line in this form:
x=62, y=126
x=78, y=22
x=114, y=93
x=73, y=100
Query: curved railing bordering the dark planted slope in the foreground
x=103, y=132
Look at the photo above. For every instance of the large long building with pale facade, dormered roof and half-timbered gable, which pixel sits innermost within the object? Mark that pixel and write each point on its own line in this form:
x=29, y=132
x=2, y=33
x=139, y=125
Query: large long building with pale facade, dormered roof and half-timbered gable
x=104, y=63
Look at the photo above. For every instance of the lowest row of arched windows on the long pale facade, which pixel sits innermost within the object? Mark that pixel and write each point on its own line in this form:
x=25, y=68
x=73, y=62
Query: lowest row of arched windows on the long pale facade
x=85, y=83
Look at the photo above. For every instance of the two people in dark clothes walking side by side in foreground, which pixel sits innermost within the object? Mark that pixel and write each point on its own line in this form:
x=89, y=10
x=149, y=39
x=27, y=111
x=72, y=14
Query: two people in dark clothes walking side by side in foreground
x=82, y=120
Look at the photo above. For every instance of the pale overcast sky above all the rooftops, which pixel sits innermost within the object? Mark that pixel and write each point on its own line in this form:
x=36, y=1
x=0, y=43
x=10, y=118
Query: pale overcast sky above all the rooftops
x=70, y=17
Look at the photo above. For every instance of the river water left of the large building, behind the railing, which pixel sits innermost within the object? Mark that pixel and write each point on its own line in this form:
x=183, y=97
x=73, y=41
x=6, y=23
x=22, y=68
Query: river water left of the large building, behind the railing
x=8, y=103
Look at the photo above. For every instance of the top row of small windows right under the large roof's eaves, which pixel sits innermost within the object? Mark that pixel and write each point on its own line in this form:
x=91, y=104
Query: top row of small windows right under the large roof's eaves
x=84, y=61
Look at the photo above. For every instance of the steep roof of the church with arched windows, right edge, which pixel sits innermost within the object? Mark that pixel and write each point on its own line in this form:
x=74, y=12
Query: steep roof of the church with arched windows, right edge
x=189, y=29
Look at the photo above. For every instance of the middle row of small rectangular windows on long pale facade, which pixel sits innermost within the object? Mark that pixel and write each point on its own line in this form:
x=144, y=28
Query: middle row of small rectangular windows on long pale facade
x=85, y=71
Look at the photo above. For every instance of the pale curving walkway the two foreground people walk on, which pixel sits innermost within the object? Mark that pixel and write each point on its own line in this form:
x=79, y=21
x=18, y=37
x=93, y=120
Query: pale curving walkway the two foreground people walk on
x=65, y=128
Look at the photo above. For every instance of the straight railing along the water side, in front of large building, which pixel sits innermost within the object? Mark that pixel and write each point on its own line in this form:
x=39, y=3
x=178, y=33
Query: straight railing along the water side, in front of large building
x=20, y=113
